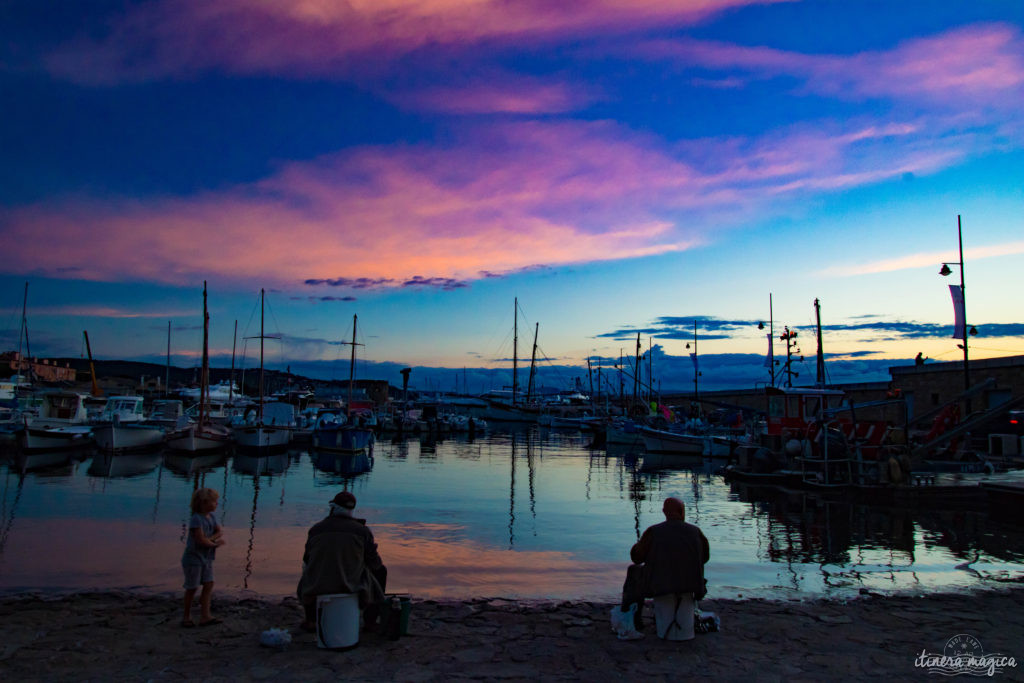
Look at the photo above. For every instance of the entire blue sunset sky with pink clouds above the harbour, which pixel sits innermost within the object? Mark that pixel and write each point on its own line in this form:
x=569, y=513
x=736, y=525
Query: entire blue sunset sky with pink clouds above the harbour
x=620, y=166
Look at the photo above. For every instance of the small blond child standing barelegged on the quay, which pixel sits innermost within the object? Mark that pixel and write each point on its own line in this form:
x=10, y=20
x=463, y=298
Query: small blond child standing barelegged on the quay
x=204, y=539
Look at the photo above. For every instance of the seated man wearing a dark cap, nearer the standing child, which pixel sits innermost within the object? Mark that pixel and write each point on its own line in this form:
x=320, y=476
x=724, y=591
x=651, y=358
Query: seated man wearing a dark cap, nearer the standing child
x=342, y=558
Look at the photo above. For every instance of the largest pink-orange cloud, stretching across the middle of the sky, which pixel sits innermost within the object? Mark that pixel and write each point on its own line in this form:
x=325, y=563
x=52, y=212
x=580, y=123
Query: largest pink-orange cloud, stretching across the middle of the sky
x=504, y=199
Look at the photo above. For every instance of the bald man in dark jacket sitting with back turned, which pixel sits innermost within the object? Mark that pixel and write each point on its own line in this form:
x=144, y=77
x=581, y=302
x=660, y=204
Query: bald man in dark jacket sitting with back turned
x=668, y=560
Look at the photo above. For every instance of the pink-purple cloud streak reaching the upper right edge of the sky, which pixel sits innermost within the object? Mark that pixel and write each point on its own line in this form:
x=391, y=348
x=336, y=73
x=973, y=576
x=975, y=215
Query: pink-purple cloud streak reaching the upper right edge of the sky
x=978, y=63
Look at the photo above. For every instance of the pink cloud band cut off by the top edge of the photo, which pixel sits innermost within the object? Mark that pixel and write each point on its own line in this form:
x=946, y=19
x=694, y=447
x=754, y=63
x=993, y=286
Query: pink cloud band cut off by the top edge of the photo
x=175, y=38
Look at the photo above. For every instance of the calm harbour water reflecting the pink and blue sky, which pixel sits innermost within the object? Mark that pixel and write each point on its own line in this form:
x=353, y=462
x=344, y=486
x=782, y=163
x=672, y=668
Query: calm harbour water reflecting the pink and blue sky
x=531, y=515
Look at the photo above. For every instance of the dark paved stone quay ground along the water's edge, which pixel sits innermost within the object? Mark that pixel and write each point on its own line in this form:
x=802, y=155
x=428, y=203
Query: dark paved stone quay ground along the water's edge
x=138, y=638
